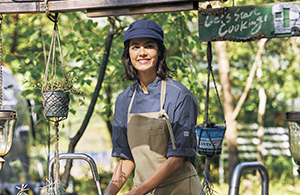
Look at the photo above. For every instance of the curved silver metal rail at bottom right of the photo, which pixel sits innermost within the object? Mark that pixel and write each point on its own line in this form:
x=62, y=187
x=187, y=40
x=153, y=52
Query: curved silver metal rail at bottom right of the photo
x=235, y=181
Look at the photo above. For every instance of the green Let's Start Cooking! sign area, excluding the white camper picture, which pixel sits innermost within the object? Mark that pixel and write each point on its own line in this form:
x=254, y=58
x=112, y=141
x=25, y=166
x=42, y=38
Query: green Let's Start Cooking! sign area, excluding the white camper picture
x=240, y=23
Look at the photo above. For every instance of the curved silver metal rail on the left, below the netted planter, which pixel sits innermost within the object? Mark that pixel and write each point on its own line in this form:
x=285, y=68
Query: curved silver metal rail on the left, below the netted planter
x=82, y=156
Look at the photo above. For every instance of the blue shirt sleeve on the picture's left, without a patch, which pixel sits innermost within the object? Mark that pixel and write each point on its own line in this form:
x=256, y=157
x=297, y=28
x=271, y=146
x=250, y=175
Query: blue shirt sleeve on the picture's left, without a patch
x=119, y=132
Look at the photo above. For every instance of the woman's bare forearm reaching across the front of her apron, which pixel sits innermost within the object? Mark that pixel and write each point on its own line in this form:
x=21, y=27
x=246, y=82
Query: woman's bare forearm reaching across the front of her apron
x=167, y=169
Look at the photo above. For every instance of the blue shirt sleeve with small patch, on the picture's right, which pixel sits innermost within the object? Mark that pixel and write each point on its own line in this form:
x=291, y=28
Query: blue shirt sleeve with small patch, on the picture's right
x=183, y=124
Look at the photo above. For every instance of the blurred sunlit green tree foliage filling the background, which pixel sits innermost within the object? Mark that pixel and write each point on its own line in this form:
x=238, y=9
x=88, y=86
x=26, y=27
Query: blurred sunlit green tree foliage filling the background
x=83, y=45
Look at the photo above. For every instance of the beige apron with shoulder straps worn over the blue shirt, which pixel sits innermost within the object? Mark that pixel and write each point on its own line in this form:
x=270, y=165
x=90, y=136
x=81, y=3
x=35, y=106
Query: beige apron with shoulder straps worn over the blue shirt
x=148, y=137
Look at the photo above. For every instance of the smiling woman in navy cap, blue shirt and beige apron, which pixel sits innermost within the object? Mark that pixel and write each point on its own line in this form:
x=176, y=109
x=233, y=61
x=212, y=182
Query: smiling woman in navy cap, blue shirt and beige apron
x=154, y=119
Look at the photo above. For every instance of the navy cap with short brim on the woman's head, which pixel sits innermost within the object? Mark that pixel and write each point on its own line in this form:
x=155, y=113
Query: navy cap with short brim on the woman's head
x=144, y=29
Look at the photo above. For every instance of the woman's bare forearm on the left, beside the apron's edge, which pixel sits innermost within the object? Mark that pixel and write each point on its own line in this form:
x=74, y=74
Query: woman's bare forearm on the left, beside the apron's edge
x=120, y=176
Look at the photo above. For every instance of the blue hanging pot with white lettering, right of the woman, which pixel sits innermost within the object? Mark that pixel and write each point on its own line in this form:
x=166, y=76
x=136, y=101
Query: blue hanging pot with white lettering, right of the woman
x=211, y=139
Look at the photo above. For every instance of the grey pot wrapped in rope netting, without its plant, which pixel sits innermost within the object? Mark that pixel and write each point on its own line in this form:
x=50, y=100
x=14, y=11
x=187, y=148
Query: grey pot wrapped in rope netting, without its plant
x=56, y=103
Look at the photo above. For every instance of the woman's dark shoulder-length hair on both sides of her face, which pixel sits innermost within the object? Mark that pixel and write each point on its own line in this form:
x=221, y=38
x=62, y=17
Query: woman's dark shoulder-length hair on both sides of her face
x=162, y=70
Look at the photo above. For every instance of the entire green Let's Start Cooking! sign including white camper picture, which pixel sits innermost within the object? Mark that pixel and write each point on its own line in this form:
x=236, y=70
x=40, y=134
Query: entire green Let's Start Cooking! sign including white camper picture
x=250, y=22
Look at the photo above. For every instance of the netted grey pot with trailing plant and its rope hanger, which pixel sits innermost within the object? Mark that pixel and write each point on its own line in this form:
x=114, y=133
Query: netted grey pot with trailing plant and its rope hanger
x=56, y=90
